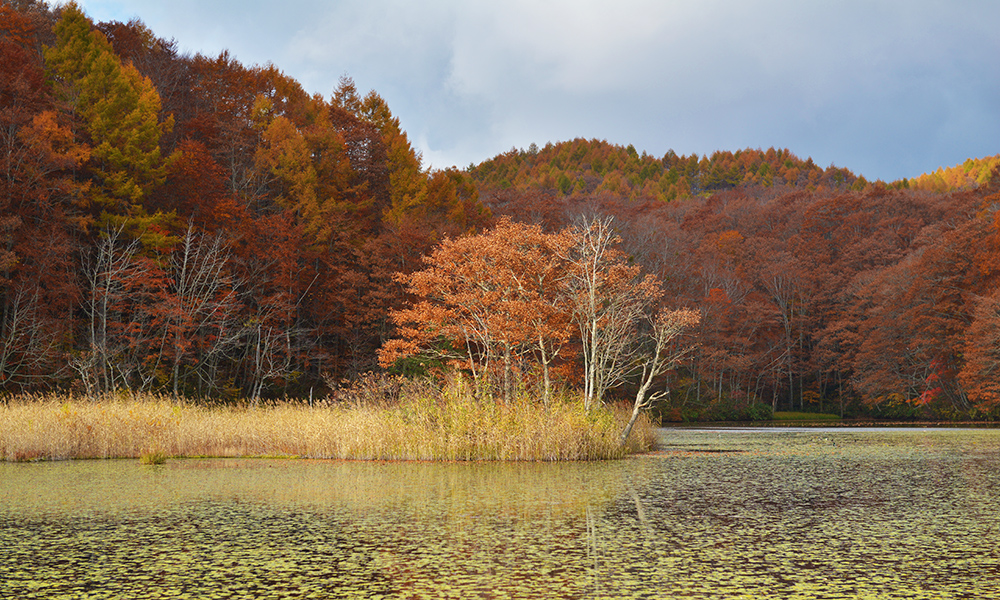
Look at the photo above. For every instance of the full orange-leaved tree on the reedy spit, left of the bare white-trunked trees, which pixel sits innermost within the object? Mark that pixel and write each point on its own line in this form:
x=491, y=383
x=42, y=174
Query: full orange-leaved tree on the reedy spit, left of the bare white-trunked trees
x=488, y=303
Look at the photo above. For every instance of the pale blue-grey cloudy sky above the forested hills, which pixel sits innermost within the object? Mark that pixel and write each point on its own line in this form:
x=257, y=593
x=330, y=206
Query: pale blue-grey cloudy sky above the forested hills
x=886, y=88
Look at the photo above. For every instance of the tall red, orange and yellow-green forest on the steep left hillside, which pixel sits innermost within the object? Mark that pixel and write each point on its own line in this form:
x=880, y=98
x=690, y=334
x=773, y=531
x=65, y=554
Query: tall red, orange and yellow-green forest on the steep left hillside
x=186, y=223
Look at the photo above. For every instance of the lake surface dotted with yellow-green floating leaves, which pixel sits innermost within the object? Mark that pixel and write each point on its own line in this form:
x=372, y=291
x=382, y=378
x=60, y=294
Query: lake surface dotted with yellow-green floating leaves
x=783, y=513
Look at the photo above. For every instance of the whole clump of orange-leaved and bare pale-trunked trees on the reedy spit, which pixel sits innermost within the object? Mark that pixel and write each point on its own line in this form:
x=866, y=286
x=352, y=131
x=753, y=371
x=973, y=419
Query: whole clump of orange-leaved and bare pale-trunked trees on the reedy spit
x=504, y=302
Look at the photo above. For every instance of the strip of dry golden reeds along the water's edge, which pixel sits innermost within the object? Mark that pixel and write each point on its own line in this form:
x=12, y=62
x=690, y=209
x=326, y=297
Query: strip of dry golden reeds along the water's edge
x=55, y=427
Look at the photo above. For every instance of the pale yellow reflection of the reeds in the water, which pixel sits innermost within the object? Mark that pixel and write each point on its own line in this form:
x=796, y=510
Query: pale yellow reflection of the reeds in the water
x=443, y=493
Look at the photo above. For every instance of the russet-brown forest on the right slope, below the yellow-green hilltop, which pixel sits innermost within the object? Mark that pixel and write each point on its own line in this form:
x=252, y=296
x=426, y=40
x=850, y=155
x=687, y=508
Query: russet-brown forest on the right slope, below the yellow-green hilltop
x=881, y=302
